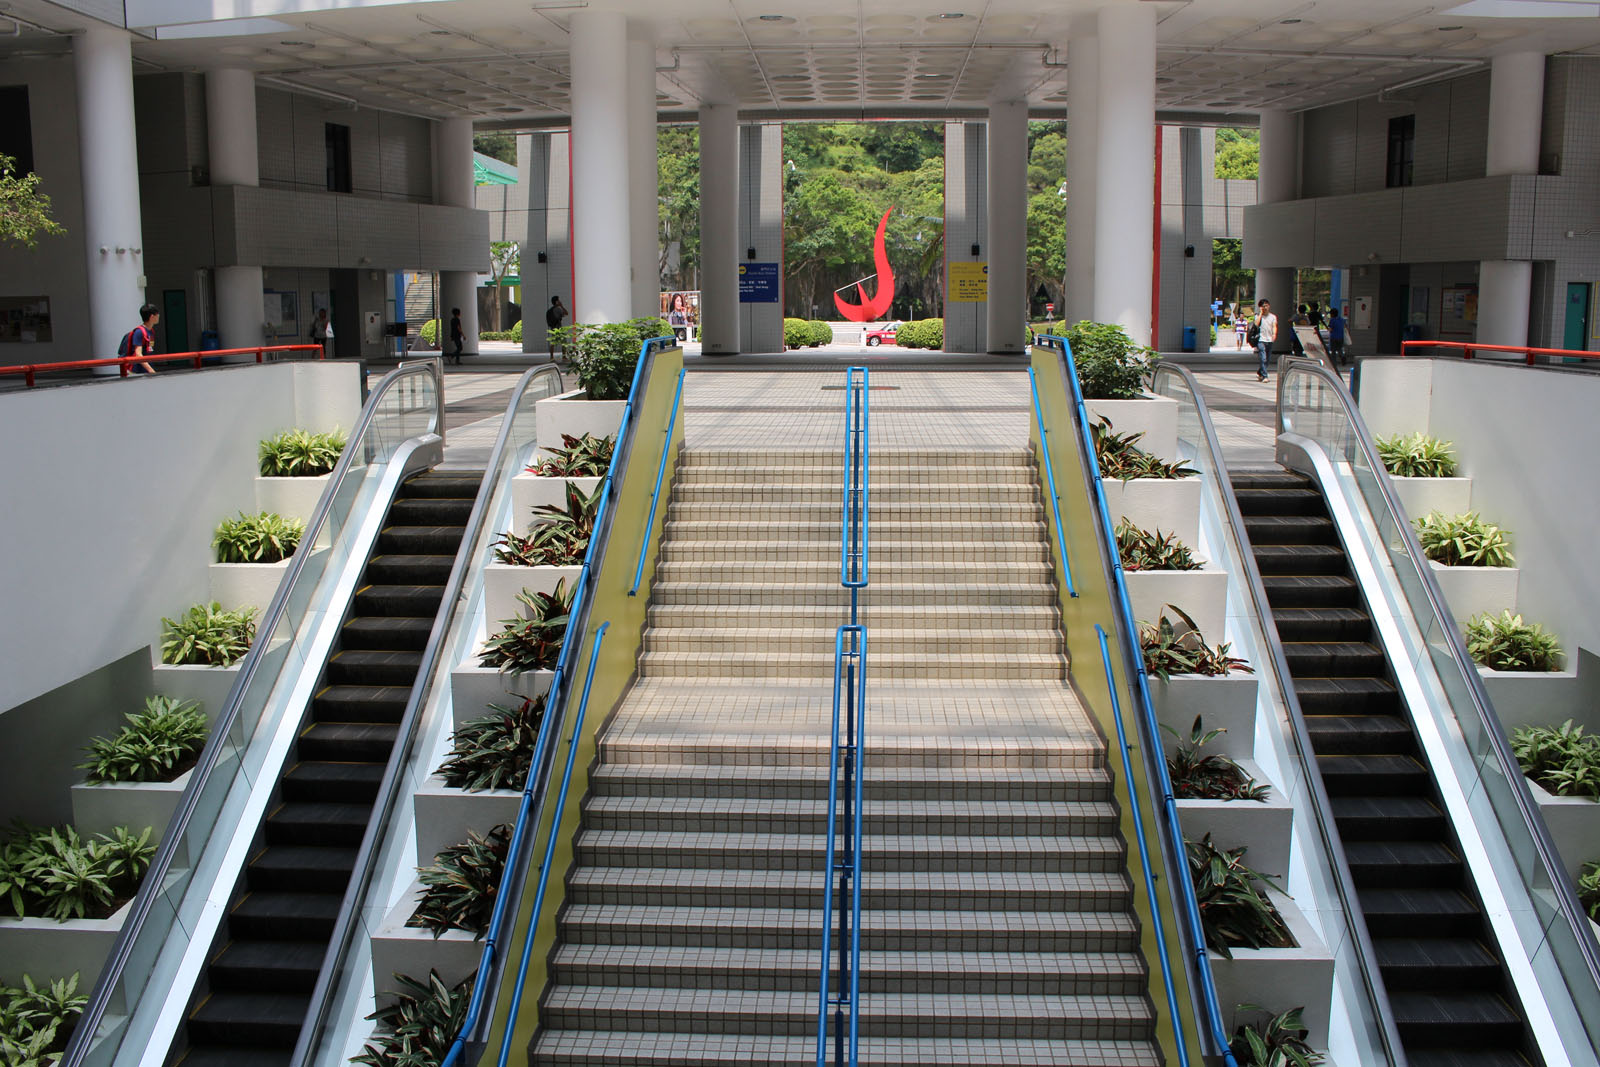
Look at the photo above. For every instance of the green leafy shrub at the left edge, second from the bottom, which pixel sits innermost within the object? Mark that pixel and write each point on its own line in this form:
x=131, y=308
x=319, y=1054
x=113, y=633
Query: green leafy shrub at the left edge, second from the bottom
x=52, y=873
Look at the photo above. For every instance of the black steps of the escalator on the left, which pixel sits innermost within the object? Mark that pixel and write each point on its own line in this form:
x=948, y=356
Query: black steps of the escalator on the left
x=260, y=978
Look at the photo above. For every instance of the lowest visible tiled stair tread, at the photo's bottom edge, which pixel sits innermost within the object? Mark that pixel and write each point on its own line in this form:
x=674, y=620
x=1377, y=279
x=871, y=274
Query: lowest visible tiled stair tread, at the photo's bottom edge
x=714, y=1050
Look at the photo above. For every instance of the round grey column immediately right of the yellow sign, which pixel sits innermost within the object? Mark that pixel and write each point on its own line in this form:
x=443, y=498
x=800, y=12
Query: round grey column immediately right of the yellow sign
x=1009, y=226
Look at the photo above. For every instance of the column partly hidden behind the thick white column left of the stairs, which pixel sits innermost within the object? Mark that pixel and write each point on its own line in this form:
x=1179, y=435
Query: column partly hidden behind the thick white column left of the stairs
x=644, y=212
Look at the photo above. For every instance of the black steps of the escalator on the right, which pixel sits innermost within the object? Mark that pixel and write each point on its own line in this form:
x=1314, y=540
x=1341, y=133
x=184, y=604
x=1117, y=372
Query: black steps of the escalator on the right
x=1449, y=988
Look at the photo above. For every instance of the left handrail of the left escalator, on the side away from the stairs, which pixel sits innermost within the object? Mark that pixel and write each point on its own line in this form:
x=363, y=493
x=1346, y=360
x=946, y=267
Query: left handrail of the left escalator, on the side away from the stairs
x=161, y=865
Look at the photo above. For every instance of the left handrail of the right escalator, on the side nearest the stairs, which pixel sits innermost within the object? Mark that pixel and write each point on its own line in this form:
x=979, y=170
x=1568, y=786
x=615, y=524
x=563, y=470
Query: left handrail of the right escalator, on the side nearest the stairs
x=1322, y=807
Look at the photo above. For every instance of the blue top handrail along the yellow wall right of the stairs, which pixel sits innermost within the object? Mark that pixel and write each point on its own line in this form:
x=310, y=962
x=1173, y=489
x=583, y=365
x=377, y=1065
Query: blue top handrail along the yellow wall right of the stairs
x=1140, y=687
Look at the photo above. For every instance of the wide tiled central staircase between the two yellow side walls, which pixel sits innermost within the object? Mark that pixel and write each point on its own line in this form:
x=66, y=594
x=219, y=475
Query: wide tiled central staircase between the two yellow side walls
x=996, y=905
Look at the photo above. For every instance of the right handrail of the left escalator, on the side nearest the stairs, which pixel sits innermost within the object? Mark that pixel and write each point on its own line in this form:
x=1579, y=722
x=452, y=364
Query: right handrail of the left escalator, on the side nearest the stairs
x=394, y=773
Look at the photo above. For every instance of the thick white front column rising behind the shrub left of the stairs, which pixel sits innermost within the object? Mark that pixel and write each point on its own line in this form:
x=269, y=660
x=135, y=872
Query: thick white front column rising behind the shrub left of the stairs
x=602, y=249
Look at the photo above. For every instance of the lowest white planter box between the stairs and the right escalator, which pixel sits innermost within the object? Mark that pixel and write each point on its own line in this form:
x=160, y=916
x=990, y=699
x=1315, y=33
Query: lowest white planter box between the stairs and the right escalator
x=1281, y=978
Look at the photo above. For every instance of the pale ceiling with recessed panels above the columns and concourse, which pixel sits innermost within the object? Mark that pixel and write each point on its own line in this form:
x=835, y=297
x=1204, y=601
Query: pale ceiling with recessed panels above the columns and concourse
x=505, y=62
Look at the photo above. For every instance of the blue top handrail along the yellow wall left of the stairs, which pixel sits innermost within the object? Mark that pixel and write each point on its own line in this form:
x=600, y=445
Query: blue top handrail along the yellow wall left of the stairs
x=530, y=810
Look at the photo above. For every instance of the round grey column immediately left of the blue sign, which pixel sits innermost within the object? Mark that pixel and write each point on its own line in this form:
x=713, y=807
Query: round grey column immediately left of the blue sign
x=721, y=230
